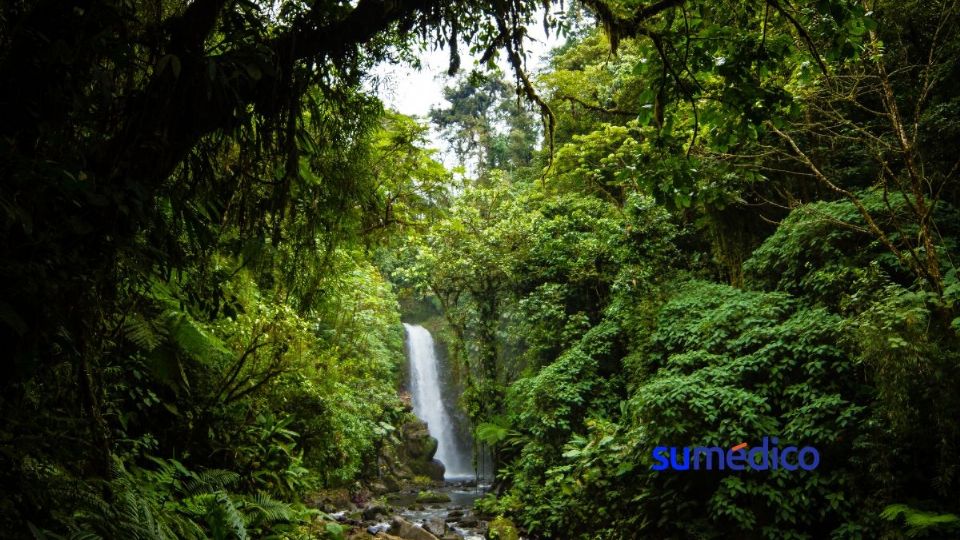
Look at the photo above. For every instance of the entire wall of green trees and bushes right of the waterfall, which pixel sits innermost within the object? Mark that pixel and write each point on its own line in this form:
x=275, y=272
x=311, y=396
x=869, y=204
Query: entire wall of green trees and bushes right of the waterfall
x=772, y=149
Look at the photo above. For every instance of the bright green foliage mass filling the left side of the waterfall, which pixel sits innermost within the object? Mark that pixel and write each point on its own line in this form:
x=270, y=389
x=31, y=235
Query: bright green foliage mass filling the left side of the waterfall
x=260, y=340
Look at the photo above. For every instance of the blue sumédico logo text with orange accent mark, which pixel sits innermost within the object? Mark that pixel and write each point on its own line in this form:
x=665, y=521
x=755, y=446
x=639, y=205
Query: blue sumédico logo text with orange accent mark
x=767, y=456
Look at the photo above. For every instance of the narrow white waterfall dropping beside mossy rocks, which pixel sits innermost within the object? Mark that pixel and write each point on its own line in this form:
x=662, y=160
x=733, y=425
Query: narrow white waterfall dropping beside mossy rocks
x=428, y=402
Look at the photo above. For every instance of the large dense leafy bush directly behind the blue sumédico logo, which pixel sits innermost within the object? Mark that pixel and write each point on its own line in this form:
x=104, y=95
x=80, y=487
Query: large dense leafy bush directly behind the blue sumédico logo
x=733, y=366
